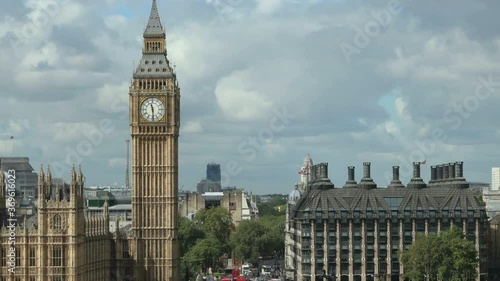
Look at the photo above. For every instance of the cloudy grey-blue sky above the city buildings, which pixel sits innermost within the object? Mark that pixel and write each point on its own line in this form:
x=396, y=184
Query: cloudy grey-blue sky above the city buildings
x=263, y=83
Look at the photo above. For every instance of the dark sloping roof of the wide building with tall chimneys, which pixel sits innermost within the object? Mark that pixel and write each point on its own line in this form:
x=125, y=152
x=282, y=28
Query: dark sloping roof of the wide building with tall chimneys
x=441, y=194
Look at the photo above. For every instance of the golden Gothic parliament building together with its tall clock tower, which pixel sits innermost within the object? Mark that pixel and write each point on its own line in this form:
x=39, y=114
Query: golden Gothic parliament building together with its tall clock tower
x=64, y=243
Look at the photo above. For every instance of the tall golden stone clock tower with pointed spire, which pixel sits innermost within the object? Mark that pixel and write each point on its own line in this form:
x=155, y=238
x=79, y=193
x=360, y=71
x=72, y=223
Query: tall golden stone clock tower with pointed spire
x=154, y=123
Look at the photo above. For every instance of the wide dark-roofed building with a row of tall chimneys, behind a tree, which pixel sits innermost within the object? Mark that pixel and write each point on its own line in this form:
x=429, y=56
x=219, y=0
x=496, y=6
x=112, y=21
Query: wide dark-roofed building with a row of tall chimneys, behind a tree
x=357, y=232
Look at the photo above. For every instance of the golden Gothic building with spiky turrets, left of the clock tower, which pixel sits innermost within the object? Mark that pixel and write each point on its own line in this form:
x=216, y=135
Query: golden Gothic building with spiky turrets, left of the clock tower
x=61, y=242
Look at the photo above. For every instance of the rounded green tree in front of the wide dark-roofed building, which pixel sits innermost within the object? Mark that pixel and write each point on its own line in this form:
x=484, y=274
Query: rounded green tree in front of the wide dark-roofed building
x=447, y=256
